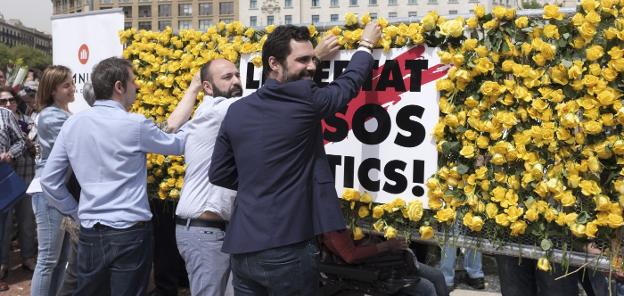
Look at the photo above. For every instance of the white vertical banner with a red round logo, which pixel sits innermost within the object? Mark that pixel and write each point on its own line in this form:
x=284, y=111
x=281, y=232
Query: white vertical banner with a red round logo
x=82, y=40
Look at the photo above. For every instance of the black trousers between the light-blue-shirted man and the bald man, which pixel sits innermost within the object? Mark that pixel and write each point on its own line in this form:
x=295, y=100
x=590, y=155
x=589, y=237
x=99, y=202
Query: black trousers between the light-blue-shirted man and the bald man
x=169, y=267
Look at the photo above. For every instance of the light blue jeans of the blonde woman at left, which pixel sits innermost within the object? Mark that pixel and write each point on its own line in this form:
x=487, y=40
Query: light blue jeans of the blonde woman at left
x=53, y=248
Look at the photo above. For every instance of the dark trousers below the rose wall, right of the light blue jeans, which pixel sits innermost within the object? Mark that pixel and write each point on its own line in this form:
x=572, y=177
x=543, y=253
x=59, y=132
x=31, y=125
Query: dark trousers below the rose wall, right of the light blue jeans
x=522, y=278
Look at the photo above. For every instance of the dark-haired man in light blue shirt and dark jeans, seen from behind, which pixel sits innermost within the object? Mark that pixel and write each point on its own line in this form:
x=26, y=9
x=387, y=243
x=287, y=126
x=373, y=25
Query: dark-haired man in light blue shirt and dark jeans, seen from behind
x=106, y=147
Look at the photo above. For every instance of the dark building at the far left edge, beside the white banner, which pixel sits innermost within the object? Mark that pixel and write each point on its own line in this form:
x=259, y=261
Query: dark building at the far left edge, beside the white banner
x=13, y=32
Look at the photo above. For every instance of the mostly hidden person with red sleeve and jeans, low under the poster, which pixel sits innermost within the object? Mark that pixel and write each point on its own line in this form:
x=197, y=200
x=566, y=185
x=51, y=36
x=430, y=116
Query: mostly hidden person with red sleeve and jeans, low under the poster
x=342, y=244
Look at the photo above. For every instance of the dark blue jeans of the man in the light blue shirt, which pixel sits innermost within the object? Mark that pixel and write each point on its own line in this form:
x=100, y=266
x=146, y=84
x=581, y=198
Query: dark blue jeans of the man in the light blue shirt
x=117, y=258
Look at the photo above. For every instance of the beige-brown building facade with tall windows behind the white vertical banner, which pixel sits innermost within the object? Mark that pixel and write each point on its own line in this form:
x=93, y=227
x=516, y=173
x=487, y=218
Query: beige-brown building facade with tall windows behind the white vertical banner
x=158, y=14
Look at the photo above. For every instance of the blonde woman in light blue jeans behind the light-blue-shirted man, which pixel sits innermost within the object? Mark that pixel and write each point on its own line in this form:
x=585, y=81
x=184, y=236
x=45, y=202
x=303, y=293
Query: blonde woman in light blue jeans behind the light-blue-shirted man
x=55, y=92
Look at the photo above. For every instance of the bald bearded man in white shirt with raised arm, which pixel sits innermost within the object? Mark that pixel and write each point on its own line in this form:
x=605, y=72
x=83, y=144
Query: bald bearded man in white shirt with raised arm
x=204, y=209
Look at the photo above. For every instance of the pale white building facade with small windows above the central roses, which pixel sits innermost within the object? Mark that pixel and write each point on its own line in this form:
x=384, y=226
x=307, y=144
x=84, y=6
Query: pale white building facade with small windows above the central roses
x=325, y=12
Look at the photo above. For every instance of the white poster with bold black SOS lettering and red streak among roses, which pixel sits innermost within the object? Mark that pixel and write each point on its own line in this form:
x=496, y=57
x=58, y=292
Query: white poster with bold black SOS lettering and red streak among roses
x=382, y=142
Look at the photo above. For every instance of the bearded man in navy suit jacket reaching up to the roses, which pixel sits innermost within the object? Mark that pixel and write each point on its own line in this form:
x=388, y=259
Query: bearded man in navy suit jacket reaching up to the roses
x=267, y=149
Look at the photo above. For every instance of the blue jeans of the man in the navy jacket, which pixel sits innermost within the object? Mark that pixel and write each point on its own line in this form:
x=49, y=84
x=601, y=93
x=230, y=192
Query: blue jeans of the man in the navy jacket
x=283, y=271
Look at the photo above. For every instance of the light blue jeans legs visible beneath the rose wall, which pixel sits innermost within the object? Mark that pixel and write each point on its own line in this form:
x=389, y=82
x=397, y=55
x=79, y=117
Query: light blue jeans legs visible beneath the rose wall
x=472, y=264
